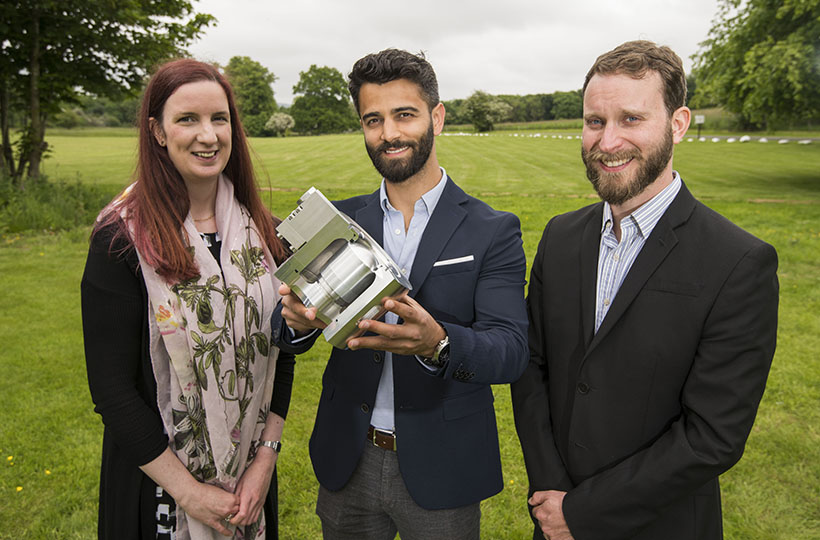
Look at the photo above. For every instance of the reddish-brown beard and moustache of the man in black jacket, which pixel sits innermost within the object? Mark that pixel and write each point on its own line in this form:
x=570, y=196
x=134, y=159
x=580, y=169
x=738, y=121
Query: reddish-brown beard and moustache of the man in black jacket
x=611, y=187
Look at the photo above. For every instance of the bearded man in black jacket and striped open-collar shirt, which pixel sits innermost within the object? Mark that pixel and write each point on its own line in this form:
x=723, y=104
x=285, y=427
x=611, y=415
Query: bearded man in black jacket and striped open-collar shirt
x=652, y=328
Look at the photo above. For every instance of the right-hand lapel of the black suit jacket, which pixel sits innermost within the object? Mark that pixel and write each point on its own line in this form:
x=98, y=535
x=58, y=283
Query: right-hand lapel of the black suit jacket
x=662, y=240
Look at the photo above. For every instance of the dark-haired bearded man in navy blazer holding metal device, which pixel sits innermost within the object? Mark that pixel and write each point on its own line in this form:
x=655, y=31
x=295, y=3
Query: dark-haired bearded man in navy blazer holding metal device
x=405, y=436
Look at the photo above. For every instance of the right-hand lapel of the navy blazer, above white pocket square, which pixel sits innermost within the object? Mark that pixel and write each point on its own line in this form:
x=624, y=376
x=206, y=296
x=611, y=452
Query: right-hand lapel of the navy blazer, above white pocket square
x=443, y=223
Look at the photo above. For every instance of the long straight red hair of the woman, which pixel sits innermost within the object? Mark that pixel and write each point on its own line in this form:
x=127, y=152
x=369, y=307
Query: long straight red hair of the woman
x=158, y=202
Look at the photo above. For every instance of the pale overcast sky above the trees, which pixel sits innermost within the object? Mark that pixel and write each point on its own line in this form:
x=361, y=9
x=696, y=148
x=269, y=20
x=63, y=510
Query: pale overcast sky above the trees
x=499, y=46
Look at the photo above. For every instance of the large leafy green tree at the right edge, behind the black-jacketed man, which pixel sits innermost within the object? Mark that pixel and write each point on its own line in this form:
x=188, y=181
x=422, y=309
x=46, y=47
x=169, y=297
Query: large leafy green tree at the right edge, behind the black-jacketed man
x=760, y=61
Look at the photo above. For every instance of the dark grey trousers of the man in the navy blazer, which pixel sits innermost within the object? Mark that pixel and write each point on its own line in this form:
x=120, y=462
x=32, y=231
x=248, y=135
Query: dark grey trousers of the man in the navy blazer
x=375, y=505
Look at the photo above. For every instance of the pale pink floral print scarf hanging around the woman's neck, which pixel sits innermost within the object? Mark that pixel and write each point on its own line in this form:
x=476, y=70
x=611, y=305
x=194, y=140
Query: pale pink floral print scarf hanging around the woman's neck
x=212, y=357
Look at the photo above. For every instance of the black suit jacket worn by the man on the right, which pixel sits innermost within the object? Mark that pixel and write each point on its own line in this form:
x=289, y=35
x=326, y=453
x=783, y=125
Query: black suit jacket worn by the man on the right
x=637, y=421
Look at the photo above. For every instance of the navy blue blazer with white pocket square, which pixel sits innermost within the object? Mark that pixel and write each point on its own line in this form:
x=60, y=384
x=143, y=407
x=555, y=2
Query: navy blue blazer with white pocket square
x=447, y=442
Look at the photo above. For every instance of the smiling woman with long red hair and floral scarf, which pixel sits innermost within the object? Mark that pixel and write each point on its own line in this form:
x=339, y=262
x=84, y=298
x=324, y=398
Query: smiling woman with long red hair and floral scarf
x=177, y=295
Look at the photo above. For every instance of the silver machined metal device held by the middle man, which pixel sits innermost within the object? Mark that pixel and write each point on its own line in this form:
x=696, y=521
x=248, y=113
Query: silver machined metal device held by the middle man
x=336, y=267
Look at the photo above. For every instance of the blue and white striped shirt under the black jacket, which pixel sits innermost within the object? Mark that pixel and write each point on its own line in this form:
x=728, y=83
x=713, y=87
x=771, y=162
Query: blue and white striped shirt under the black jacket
x=616, y=258
